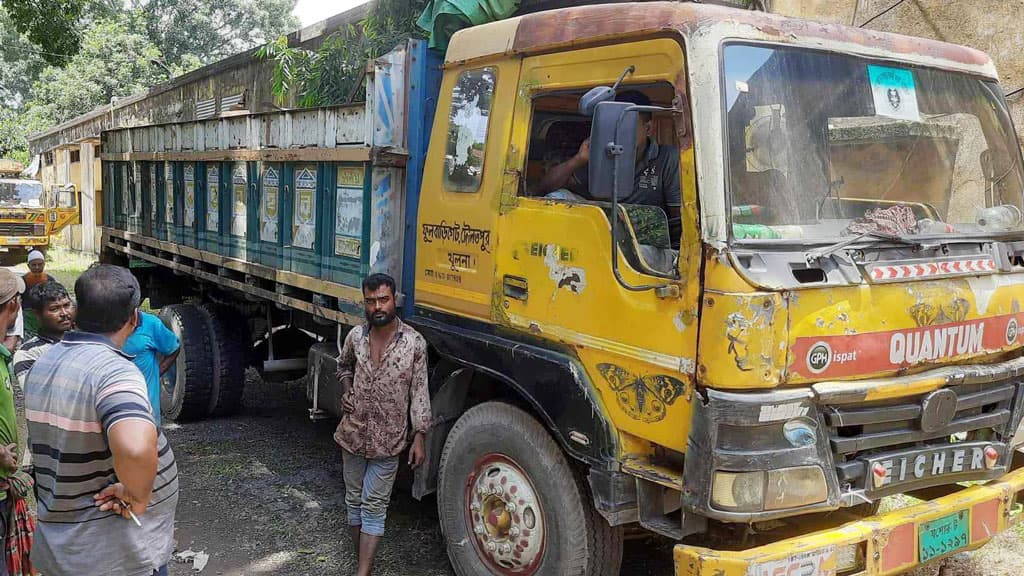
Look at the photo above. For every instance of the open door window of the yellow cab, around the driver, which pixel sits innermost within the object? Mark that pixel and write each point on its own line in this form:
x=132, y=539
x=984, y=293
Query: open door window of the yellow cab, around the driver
x=559, y=131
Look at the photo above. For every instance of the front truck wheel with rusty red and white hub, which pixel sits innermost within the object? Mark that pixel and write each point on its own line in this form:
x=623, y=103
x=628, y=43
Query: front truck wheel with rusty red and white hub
x=510, y=504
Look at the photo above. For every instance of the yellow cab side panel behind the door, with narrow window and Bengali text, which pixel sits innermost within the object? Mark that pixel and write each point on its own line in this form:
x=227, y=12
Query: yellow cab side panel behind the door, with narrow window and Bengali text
x=462, y=183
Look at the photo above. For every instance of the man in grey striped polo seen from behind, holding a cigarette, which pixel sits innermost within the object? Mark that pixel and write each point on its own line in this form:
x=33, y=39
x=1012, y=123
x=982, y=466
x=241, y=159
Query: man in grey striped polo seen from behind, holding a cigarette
x=96, y=444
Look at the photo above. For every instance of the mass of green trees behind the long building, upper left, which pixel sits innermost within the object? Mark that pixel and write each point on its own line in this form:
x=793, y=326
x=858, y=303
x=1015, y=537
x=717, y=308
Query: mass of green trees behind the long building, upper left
x=60, y=59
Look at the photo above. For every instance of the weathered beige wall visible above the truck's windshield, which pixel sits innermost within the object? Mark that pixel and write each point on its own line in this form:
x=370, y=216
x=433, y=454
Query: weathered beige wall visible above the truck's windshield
x=996, y=27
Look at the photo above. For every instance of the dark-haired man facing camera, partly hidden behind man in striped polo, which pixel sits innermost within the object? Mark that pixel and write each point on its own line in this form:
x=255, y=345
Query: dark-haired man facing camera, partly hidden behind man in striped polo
x=51, y=304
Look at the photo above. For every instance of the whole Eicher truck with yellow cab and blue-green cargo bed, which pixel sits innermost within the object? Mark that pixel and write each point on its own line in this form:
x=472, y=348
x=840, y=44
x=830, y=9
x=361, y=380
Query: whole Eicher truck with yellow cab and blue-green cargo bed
x=828, y=314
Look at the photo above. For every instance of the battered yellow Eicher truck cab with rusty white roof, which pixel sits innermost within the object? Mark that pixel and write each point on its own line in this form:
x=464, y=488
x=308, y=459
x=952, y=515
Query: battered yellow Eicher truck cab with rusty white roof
x=829, y=314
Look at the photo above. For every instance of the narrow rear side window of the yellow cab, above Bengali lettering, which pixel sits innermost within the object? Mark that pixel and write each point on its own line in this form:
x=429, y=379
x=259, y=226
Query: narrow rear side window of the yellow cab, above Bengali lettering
x=468, y=122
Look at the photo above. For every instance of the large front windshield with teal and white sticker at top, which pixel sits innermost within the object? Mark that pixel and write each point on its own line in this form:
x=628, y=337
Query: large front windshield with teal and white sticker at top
x=825, y=146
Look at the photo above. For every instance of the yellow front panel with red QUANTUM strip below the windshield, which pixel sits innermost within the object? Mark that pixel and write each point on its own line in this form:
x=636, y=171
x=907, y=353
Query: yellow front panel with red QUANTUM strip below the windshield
x=892, y=330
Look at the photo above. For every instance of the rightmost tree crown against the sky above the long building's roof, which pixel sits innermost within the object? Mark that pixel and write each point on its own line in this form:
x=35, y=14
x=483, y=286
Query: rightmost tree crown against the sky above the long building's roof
x=214, y=31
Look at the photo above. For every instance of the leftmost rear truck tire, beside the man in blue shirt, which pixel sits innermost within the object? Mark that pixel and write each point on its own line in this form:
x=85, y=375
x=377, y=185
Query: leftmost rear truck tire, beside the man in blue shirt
x=186, y=395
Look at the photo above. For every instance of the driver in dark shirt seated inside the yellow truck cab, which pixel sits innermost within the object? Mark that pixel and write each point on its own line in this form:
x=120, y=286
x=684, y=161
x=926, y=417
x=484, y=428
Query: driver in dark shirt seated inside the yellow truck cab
x=656, y=181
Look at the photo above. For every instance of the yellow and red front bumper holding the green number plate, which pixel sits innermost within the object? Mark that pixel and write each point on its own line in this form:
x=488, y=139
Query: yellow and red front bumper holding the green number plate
x=890, y=542
